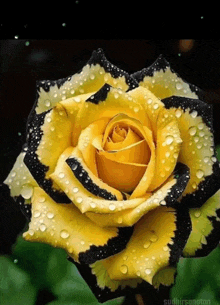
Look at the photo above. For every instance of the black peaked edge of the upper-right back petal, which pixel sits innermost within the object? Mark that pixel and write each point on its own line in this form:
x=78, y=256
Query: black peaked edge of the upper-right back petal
x=162, y=64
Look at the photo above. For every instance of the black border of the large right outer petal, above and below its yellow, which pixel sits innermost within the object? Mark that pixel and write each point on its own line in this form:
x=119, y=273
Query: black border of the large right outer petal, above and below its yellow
x=211, y=184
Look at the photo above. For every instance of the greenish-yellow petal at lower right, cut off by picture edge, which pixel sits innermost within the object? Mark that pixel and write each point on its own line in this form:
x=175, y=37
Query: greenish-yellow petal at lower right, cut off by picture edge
x=205, y=233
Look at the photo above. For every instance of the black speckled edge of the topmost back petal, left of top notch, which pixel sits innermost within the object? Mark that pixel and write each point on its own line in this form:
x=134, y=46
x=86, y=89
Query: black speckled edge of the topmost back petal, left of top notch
x=98, y=57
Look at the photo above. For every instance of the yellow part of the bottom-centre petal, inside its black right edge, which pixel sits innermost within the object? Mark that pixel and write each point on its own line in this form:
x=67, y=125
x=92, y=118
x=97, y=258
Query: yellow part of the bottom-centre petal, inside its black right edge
x=147, y=252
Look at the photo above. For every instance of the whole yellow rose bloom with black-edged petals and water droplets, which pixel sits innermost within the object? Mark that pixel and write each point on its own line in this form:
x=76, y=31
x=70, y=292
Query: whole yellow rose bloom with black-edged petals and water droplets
x=120, y=171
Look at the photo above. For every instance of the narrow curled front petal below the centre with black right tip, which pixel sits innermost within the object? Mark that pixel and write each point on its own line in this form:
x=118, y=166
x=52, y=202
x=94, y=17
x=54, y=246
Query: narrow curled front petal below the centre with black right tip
x=167, y=195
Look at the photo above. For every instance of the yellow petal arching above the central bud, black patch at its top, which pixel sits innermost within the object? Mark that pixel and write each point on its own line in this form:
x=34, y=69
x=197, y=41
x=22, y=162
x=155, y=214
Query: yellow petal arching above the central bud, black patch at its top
x=108, y=102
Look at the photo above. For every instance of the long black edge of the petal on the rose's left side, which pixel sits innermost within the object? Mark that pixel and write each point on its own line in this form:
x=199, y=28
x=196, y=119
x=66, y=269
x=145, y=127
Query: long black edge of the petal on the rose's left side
x=36, y=168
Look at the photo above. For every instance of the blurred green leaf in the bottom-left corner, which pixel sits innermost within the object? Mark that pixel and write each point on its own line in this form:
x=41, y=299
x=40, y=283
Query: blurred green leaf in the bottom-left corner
x=15, y=284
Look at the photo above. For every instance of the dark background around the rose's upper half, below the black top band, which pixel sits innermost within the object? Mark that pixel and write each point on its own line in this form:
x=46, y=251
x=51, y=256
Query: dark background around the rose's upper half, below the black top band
x=23, y=61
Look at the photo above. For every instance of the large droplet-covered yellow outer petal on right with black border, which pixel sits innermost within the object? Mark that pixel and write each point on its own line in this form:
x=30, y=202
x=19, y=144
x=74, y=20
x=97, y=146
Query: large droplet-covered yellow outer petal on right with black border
x=197, y=152
